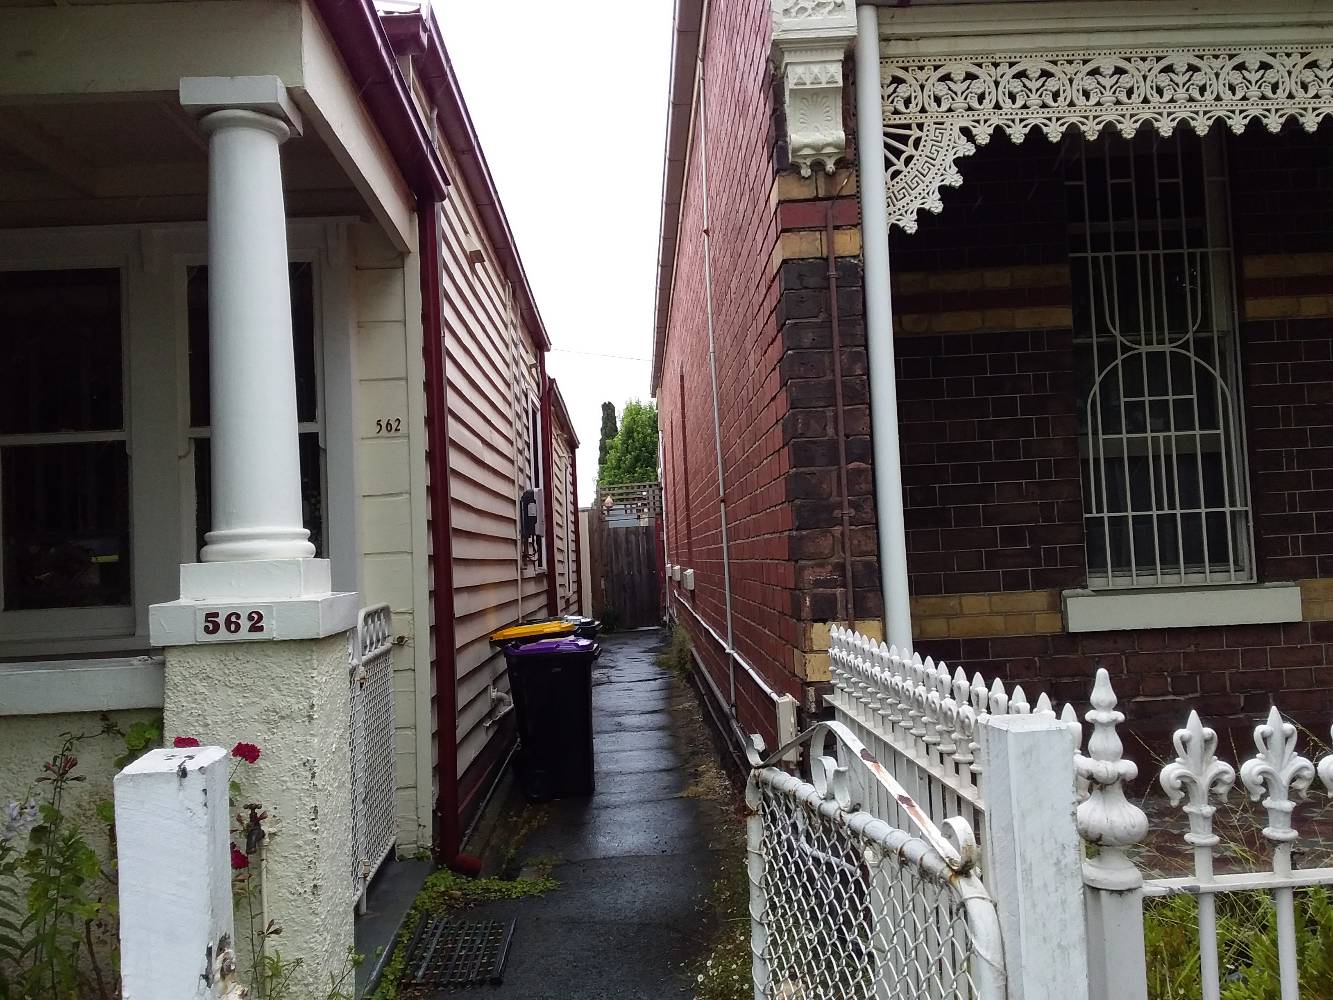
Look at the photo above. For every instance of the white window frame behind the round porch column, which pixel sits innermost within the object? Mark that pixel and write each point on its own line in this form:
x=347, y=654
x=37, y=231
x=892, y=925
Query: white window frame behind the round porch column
x=153, y=259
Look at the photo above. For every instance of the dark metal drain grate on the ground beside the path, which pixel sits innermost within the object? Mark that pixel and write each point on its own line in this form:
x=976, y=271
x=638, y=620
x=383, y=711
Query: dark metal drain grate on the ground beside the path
x=450, y=954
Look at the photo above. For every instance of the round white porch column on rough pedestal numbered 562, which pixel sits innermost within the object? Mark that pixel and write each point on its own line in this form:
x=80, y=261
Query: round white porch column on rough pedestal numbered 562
x=258, y=649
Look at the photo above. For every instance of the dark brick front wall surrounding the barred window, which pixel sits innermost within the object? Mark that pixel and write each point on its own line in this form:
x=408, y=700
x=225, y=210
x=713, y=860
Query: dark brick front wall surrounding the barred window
x=991, y=458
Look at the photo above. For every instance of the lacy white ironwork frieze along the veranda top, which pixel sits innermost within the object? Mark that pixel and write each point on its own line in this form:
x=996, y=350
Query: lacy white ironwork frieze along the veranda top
x=936, y=111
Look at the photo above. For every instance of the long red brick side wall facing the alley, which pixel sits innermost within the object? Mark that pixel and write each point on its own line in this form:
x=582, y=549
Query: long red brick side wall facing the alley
x=743, y=235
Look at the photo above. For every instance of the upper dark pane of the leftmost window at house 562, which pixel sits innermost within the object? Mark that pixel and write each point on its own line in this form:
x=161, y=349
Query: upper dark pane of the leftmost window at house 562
x=62, y=339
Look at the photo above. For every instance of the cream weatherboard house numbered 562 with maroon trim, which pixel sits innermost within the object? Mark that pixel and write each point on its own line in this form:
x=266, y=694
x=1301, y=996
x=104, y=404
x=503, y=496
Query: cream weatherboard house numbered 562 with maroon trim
x=302, y=394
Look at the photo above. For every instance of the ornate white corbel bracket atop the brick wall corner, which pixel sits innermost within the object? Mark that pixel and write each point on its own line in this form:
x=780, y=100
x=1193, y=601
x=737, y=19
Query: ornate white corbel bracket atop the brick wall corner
x=810, y=43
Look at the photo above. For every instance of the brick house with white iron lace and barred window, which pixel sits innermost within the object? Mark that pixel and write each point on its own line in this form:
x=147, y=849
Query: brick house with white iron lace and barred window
x=1006, y=331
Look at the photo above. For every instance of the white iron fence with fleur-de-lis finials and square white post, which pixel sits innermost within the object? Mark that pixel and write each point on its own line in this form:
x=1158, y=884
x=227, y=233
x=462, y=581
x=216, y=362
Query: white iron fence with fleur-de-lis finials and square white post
x=952, y=745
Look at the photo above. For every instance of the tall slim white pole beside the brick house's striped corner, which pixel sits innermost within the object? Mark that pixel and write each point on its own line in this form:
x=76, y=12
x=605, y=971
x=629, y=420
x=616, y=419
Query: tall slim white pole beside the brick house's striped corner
x=879, y=333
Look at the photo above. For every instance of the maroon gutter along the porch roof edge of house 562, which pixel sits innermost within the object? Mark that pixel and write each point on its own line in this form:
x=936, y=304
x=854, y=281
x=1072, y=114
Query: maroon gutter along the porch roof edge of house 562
x=366, y=50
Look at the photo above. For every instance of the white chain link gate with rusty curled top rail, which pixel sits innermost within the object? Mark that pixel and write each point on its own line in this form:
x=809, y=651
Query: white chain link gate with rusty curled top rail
x=847, y=907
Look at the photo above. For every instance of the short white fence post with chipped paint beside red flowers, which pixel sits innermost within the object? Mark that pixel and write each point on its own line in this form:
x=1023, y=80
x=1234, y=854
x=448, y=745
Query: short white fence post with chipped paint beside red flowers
x=175, y=875
